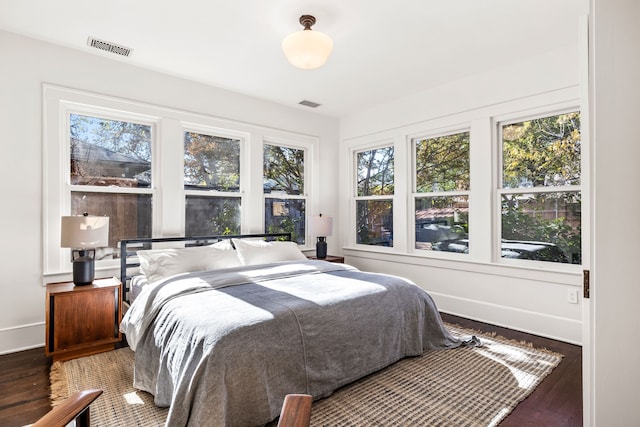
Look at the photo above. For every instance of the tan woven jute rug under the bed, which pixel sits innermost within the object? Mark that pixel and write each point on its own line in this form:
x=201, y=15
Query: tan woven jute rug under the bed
x=461, y=387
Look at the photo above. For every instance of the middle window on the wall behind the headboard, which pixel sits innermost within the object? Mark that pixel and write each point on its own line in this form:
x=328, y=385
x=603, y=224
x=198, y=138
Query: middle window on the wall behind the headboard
x=211, y=184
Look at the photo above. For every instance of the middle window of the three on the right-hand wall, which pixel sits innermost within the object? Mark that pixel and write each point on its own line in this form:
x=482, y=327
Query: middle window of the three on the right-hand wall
x=442, y=184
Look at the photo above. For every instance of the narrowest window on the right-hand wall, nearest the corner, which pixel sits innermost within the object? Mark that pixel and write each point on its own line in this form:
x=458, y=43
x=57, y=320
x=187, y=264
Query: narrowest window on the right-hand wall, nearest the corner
x=374, y=196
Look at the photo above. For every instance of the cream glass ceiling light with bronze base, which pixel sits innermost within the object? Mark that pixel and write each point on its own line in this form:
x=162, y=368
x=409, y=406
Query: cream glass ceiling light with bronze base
x=307, y=49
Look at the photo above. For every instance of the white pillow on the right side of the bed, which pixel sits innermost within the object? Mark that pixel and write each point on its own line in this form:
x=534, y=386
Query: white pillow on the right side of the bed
x=253, y=252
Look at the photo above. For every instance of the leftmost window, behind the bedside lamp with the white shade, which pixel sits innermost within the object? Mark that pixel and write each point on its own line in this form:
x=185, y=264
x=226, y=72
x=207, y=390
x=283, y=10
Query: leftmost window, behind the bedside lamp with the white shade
x=110, y=175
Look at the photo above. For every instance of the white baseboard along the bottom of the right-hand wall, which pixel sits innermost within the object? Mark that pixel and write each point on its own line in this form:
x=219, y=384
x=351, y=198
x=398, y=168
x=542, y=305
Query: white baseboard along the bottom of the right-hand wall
x=557, y=328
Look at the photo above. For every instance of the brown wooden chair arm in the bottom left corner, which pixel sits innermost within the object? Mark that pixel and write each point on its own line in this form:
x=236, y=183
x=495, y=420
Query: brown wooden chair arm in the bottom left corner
x=75, y=407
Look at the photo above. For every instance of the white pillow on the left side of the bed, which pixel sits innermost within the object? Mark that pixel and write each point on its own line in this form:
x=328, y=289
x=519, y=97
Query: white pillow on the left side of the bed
x=158, y=264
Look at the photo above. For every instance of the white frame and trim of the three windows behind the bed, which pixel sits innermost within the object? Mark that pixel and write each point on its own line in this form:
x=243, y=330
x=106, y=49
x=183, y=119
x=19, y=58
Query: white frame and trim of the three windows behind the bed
x=167, y=167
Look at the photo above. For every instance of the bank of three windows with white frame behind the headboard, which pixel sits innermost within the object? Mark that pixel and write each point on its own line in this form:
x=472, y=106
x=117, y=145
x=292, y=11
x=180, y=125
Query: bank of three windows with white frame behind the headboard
x=164, y=172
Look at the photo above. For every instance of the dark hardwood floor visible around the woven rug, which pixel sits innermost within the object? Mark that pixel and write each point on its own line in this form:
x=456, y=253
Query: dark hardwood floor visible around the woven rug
x=557, y=401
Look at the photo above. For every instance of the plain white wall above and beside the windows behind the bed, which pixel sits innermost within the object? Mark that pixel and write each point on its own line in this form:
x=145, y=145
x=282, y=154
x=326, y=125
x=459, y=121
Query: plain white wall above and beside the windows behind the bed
x=25, y=65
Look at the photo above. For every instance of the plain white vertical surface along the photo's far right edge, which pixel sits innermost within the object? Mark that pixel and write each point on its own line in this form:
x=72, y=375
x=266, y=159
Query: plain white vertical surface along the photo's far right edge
x=616, y=203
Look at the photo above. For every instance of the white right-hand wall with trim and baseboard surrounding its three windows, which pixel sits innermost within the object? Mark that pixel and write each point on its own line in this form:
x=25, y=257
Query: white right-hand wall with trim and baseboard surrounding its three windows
x=528, y=299
